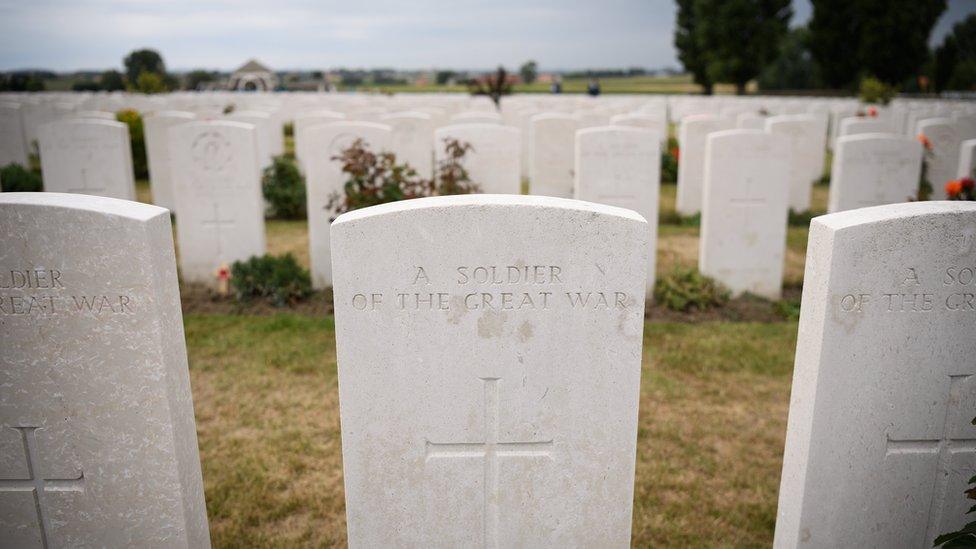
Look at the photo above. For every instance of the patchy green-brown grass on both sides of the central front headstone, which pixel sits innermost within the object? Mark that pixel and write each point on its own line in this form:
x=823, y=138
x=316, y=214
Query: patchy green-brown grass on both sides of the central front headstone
x=714, y=401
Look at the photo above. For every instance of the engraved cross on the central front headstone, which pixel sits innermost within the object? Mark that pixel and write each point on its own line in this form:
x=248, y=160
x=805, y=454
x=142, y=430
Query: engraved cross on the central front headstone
x=490, y=450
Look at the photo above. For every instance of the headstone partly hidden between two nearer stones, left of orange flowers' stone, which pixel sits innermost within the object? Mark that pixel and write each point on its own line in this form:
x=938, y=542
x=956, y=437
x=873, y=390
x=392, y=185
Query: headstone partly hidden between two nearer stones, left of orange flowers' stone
x=804, y=136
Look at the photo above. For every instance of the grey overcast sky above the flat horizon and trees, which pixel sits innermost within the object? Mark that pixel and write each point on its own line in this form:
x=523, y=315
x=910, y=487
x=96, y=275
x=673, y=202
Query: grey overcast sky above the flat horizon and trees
x=67, y=35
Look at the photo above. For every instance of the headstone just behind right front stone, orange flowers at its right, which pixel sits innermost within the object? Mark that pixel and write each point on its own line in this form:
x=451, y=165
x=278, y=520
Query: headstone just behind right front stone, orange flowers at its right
x=874, y=169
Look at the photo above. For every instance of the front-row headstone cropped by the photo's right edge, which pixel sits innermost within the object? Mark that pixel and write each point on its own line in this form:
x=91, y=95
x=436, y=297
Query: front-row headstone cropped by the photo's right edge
x=879, y=444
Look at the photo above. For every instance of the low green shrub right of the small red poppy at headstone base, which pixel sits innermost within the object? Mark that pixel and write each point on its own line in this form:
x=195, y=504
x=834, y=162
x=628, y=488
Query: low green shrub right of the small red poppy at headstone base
x=279, y=279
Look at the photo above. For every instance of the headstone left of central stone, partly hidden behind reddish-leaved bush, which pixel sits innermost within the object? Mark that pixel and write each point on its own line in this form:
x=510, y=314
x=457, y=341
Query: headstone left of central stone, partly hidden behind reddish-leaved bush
x=324, y=177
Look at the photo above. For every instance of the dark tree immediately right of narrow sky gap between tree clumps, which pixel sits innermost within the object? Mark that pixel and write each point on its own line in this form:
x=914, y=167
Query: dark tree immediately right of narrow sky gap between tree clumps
x=834, y=28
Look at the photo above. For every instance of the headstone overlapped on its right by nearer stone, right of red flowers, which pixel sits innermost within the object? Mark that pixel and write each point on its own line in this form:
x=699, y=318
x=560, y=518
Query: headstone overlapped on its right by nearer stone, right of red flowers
x=691, y=166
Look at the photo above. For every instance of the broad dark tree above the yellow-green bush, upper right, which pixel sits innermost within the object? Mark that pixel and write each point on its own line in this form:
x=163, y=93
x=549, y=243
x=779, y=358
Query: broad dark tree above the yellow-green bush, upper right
x=894, y=36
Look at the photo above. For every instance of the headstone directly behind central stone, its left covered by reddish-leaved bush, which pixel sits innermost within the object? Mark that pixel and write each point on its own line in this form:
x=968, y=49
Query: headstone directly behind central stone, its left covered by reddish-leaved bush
x=493, y=162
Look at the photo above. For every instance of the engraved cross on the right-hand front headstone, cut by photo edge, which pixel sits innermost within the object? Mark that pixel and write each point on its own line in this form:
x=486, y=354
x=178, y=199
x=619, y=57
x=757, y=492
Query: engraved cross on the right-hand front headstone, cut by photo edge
x=945, y=447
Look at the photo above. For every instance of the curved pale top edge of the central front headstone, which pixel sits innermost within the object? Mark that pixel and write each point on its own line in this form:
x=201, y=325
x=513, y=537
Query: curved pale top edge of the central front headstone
x=487, y=201
